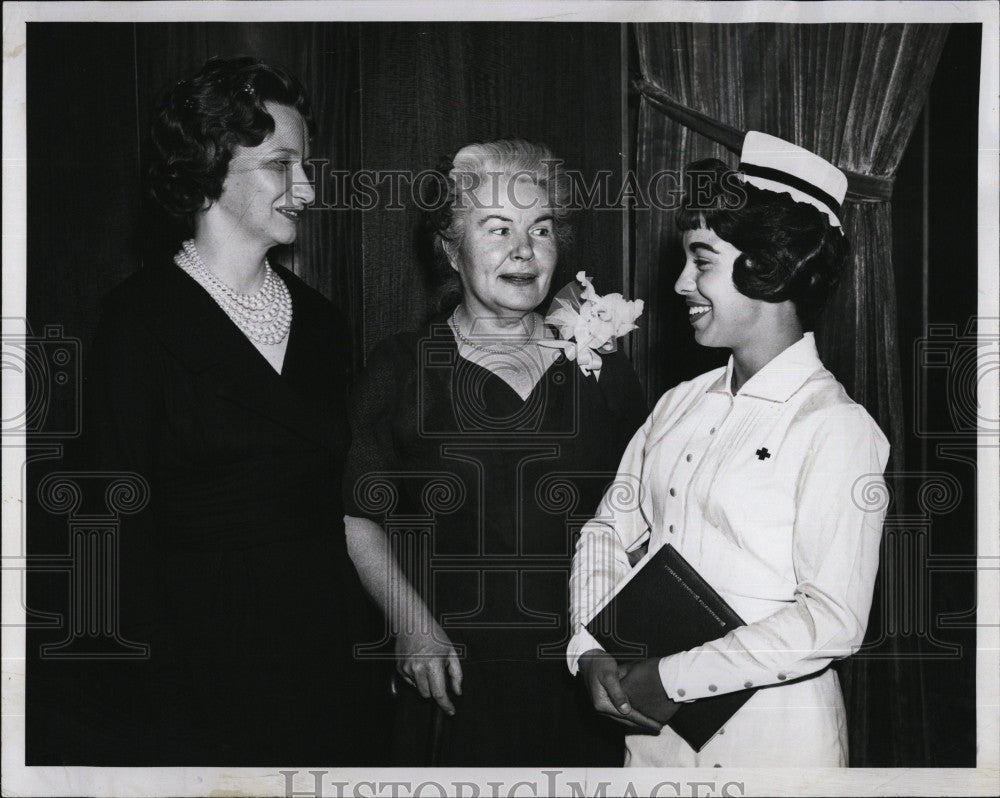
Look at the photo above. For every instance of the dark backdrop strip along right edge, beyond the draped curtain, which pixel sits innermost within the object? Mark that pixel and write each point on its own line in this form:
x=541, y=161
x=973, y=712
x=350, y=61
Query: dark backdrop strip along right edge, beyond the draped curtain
x=932, y=537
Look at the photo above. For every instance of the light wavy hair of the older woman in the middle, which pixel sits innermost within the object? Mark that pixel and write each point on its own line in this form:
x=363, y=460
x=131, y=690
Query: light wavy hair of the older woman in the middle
x=444, y=209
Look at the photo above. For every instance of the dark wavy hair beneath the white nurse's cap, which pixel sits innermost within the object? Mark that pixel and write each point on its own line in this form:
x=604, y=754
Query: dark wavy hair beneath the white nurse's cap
x=789, y=250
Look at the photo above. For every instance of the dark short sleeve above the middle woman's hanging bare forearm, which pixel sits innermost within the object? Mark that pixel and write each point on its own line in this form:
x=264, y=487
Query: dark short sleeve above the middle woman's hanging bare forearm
x=371, y=473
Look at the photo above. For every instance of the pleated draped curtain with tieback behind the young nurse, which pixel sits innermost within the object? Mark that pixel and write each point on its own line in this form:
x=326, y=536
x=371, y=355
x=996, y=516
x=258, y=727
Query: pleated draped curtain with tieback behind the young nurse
x=851, y=93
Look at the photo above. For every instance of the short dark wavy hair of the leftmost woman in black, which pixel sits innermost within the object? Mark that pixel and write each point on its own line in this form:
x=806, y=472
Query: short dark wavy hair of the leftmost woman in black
x=201, y=121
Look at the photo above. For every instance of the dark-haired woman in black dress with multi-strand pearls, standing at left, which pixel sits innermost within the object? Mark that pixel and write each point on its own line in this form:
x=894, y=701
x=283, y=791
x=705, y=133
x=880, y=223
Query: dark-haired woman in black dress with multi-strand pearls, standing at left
x=221, y=380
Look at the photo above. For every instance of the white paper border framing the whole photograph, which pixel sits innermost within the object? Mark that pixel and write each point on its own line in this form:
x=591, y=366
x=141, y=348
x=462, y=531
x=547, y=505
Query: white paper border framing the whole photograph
x=43, y=781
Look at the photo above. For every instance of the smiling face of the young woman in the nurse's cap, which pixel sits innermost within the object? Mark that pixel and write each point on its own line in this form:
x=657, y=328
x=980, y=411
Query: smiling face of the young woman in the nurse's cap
x=720, y=314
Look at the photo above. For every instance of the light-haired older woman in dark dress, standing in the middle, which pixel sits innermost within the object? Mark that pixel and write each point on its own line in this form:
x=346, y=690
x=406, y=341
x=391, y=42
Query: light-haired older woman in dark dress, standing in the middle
x=474, y=448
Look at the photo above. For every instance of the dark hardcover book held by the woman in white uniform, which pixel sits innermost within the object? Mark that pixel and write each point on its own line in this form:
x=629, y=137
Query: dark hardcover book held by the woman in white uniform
x=666, y=607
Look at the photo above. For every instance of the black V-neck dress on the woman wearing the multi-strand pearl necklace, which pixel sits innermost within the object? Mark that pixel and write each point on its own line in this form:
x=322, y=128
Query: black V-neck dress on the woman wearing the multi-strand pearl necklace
x=236, y=573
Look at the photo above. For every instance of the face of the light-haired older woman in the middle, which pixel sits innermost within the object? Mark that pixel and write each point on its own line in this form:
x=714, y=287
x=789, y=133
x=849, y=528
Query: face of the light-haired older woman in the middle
x=508, y=252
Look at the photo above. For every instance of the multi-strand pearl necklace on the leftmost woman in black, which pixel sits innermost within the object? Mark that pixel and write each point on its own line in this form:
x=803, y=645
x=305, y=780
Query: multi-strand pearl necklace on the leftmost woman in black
x=264, y=317
